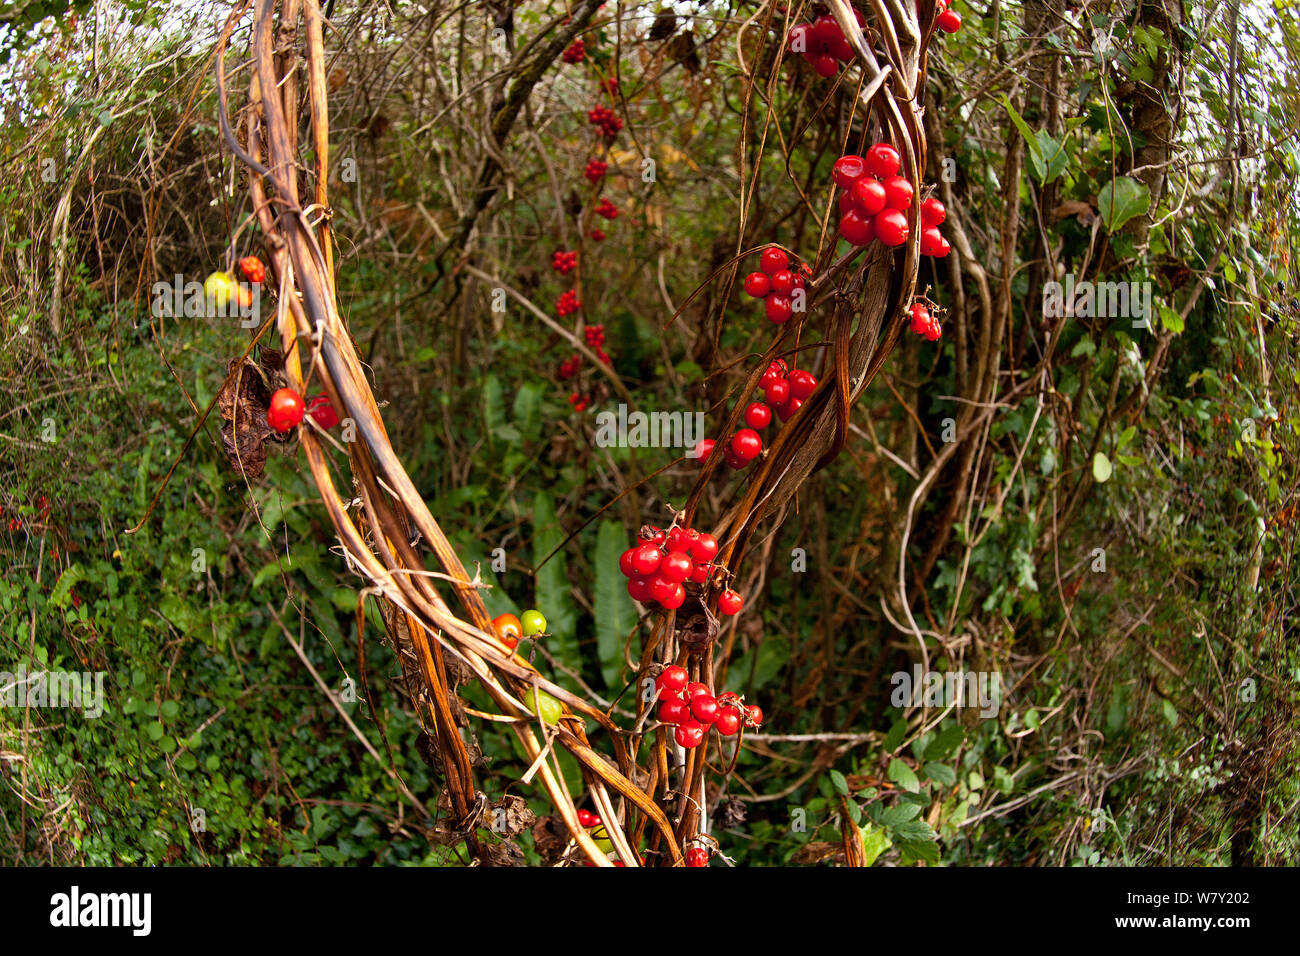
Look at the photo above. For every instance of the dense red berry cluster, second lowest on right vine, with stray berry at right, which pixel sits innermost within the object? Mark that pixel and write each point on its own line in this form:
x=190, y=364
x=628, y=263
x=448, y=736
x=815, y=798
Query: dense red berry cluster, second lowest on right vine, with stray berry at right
x=660, y=568
